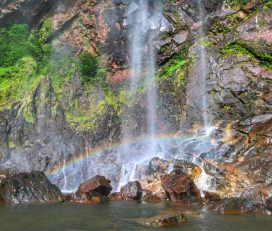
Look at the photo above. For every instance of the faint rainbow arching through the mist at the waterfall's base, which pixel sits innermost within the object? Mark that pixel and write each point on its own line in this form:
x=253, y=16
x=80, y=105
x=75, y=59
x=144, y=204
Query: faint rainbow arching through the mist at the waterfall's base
x=58, y=168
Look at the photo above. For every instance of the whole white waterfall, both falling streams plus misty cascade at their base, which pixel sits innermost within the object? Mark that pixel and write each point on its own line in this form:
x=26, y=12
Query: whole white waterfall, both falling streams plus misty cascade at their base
x=143, y=22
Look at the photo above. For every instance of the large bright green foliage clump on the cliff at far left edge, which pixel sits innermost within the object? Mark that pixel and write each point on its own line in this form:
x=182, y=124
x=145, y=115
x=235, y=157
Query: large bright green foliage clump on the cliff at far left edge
x=22, y=62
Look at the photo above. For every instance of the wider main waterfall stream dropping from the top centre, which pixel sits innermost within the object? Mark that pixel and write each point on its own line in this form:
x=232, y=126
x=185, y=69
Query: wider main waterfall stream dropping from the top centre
x=143, y=20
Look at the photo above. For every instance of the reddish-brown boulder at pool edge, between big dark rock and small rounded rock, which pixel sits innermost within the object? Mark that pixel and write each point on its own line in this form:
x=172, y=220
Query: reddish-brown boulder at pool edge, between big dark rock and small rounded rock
x=97, y=186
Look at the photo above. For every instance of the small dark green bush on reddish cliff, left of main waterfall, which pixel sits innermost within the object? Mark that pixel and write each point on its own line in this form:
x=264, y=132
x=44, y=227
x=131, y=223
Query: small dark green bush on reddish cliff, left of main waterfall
x=88, y=65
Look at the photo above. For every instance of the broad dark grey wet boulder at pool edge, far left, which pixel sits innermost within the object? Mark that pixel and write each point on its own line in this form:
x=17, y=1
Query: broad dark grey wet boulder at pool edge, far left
x=31, y=187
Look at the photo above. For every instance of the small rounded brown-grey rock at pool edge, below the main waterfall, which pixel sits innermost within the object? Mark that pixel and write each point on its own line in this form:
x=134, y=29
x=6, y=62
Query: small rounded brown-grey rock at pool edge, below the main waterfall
x=131, y=191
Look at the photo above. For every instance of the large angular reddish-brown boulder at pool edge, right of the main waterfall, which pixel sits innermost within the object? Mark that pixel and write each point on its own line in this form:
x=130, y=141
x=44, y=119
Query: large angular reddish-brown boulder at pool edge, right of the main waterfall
x=178, y=186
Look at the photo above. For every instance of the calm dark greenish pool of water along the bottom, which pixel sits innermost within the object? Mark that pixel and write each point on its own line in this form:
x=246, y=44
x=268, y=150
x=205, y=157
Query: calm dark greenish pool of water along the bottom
x=111, y=216
